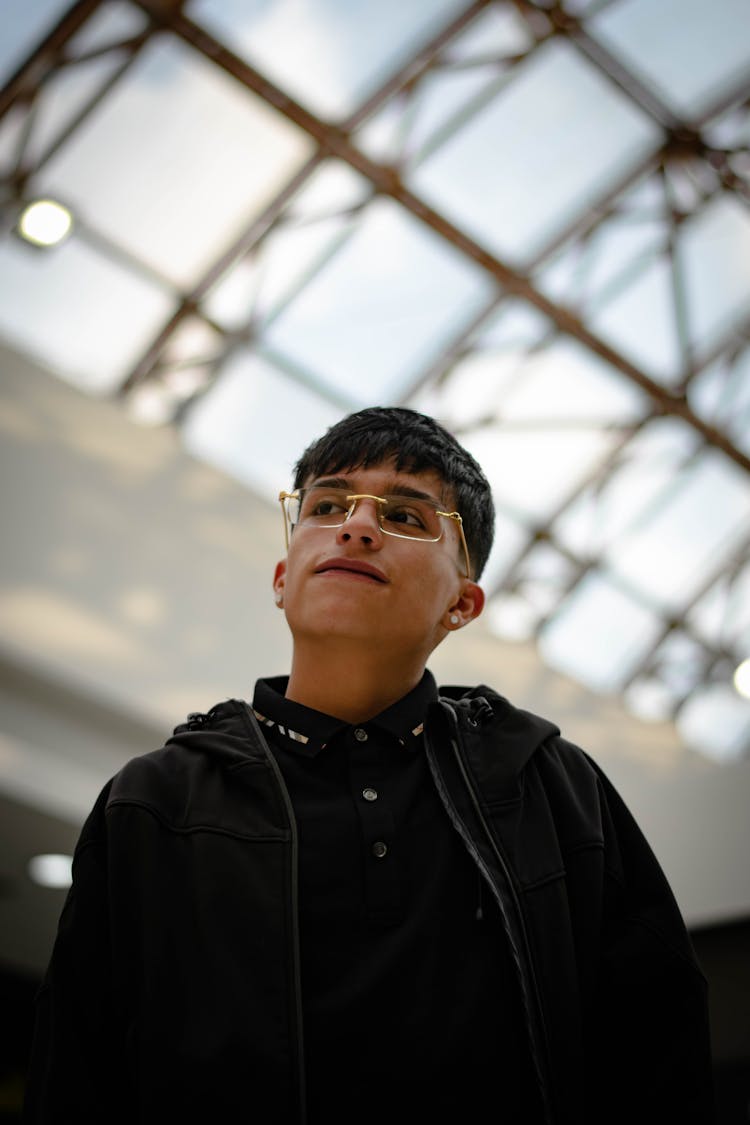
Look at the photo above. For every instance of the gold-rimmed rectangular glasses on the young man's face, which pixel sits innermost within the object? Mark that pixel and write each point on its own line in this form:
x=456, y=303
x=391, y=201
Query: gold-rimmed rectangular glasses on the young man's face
x=405, y=517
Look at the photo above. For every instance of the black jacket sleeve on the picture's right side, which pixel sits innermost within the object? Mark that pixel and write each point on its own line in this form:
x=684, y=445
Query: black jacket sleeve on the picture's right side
x=648, y=1038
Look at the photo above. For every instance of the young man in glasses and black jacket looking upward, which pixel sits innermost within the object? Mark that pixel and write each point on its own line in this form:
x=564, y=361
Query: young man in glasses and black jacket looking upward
x=363, y=899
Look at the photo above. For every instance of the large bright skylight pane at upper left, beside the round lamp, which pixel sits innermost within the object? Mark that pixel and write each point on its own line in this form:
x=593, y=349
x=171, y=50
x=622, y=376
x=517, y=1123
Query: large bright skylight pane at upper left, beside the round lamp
x=176, y=161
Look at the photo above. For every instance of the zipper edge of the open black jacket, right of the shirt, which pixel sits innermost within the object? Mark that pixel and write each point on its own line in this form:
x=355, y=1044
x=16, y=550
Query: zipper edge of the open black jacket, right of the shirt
x=522, y=957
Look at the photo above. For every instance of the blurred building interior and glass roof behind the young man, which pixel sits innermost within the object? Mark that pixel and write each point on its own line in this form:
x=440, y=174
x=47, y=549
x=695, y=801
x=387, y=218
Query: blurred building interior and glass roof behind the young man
x=224, y=224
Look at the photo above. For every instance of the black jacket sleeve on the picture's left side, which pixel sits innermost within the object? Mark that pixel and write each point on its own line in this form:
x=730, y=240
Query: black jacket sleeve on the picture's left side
x=76, y=1043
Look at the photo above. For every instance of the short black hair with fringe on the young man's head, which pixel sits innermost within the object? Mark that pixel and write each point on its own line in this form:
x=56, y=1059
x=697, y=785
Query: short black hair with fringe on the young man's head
x=415, y=443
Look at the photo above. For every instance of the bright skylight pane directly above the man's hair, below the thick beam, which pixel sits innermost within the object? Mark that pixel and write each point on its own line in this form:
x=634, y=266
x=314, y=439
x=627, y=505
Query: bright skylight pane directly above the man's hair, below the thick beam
x=382, y=309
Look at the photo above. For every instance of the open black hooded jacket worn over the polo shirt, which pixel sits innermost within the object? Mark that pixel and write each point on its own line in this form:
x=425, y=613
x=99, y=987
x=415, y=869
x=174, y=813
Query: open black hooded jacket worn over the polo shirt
x=174, y=992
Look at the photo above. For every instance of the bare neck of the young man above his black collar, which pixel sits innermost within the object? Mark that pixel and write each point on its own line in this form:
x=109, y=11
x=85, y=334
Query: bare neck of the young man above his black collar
x=350, y=689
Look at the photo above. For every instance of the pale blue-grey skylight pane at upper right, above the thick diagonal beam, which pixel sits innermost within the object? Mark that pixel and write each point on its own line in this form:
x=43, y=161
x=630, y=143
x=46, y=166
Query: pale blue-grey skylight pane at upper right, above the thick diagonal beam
x=532, y=160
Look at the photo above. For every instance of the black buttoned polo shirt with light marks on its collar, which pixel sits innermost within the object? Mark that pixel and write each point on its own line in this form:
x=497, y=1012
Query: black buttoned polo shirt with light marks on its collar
x=409, y=993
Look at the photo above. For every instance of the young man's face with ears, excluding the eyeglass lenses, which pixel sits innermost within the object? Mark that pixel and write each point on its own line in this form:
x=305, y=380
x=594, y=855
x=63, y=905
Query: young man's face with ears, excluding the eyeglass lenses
x=359, y=583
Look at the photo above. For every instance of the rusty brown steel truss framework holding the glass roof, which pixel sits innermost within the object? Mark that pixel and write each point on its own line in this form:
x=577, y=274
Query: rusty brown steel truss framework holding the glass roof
x=685, y=152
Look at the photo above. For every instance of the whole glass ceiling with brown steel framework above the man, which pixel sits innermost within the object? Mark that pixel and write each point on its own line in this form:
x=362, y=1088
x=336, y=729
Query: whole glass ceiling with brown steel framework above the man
x=531, y=220
